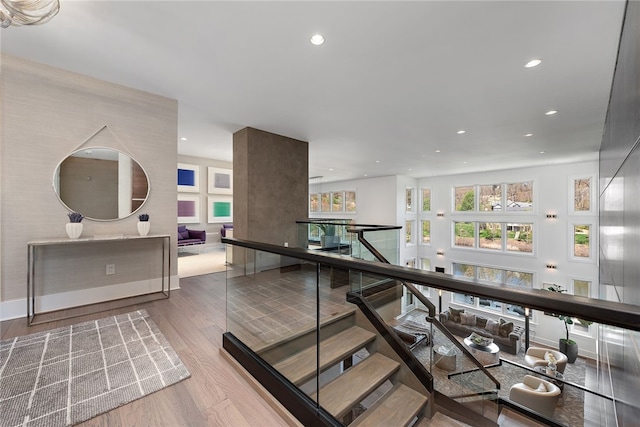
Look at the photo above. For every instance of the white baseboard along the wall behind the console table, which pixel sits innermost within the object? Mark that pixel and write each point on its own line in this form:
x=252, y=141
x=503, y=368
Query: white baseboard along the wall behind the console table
x=15, y=309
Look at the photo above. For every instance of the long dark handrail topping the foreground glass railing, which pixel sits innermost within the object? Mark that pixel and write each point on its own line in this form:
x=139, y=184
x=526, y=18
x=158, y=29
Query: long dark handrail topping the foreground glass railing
x=612, y=313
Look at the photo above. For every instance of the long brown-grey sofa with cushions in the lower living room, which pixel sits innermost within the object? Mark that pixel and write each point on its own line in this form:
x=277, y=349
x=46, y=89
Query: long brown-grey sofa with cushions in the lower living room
x=506, y=335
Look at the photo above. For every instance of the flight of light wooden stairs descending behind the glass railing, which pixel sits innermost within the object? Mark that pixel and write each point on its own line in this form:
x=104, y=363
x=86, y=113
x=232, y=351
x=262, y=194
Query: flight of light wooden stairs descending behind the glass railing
x=342, y=391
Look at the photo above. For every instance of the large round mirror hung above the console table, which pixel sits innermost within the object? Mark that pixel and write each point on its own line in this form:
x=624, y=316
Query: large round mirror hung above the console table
x=101, y=183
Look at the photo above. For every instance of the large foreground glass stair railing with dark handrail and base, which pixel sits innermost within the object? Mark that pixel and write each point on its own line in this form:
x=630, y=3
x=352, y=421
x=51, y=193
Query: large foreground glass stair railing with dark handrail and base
x=301, y=336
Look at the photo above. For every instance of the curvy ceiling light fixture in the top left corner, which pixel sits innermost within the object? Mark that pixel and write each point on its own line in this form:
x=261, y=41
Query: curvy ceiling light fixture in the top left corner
x=27, y=12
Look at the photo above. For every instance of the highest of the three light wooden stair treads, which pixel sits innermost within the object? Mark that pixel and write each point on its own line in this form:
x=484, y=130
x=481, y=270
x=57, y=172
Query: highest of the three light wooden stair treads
x=301, y=366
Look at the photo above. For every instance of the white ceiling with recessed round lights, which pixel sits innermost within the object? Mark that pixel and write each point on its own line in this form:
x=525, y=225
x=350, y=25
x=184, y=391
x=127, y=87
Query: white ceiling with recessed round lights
x=393, y=83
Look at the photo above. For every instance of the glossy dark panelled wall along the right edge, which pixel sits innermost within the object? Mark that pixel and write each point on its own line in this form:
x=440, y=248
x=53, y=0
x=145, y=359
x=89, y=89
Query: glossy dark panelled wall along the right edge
x=620, y=220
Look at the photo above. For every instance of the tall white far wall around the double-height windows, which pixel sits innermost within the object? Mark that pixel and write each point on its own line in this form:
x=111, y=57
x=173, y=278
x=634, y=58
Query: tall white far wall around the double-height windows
x=552, y=237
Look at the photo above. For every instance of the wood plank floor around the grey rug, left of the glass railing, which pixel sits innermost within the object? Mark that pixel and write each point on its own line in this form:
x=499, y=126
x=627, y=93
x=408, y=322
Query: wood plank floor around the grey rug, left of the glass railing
x=193, y=321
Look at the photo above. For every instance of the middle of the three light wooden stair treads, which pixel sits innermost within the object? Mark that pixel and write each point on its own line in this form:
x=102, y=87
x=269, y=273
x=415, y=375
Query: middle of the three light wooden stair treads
x=341, y=394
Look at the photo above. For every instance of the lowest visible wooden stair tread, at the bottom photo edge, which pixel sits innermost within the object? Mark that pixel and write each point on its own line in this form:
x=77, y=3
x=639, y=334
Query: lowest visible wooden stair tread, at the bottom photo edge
x=398, y=407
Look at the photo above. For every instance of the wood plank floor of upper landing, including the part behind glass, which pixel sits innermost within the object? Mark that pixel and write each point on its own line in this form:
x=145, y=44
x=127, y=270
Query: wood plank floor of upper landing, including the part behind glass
x=193, y=320
